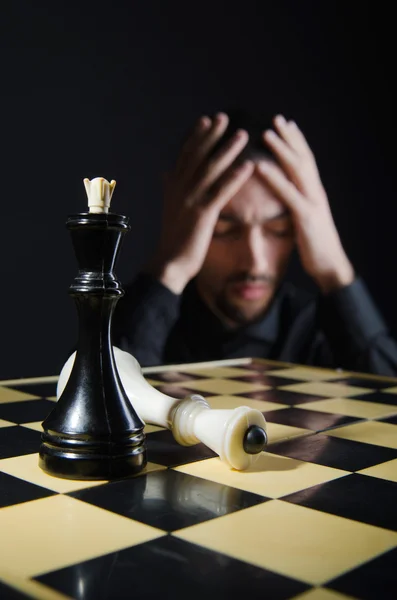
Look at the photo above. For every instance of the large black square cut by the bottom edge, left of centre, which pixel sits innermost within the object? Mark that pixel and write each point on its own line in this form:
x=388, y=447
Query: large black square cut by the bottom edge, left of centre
x=170, y=568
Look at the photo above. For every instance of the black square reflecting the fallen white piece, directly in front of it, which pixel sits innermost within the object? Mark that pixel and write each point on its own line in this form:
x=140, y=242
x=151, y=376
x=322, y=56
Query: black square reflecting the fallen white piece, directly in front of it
x=168, y=500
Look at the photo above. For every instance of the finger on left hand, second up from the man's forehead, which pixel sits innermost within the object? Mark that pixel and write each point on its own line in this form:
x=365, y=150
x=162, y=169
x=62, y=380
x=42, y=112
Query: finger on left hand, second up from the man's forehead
x=220, y=163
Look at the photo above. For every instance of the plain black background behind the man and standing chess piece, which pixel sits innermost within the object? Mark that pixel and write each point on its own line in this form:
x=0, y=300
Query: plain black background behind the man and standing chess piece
x=109, y=89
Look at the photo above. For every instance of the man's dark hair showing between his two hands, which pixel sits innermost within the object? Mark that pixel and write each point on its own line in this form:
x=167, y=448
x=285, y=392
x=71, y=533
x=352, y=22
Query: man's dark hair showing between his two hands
x=255, y=124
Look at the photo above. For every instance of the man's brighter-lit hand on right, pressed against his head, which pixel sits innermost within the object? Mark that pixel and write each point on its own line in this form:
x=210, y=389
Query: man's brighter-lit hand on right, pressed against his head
x=296, y=181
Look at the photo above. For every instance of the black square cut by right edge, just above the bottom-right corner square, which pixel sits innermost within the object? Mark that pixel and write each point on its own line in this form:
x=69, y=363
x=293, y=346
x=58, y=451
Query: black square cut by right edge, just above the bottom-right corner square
x=356, y=497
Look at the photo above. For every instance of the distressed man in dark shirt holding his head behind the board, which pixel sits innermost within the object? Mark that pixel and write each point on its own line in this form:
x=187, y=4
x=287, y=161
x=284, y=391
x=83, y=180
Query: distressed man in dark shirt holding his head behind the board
x=235, y=208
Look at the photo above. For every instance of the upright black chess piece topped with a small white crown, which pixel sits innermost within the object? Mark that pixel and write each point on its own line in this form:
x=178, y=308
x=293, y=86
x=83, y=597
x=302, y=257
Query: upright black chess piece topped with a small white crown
x=94, y=432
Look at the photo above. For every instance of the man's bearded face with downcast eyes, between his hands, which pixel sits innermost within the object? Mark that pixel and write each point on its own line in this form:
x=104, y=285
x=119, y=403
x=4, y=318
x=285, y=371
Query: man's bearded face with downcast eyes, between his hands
x=248, y=255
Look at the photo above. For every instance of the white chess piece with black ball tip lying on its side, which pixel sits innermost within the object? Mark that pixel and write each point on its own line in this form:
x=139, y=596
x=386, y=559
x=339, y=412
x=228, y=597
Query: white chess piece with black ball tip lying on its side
x=237, y=435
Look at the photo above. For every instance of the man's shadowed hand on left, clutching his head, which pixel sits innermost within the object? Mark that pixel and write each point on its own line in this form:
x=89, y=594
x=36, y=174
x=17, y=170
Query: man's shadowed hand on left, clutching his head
x=196, y=191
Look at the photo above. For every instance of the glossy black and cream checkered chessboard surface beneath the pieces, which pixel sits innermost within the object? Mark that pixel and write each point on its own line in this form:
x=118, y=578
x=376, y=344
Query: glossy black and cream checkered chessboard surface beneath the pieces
x=315, y=518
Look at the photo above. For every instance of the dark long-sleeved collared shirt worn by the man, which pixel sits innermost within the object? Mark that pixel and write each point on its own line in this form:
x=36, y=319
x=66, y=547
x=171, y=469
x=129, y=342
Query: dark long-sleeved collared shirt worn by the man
x=341, y=330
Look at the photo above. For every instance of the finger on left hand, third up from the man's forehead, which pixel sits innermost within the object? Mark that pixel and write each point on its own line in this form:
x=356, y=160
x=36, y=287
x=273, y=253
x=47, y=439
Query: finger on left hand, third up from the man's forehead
x=198, y=151
